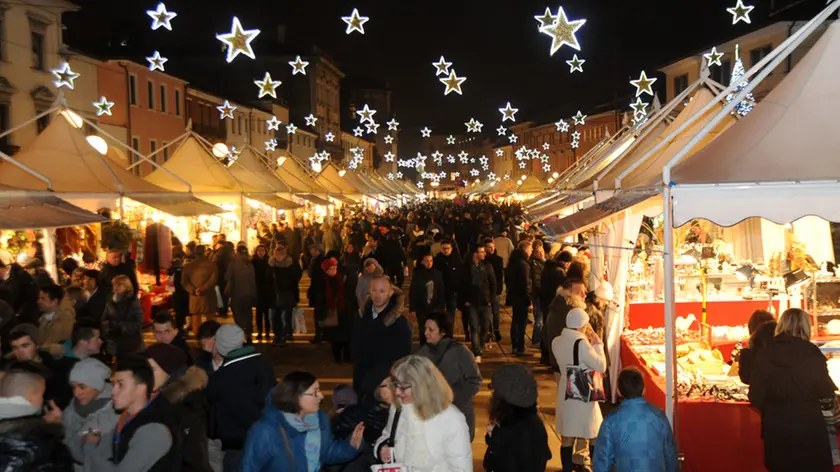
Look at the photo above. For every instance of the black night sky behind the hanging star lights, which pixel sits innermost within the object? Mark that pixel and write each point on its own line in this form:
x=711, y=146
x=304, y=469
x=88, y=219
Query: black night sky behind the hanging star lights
x=497, y=48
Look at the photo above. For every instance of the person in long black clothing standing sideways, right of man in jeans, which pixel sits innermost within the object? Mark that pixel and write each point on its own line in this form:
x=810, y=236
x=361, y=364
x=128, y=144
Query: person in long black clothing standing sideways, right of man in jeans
x=519, y=294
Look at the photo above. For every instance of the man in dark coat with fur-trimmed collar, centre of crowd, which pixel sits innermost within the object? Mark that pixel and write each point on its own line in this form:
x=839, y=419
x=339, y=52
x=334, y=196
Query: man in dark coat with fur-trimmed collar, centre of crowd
x=381, y=337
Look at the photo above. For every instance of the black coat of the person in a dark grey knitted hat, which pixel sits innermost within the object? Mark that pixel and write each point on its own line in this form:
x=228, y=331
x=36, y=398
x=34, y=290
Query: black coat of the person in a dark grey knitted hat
x=519, y=444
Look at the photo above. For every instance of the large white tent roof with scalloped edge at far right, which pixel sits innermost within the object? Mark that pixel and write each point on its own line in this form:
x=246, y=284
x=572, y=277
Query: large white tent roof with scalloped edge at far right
x=782, y=161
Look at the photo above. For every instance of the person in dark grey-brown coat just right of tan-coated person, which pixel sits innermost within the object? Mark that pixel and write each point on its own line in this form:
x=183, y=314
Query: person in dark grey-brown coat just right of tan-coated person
x=241, y=287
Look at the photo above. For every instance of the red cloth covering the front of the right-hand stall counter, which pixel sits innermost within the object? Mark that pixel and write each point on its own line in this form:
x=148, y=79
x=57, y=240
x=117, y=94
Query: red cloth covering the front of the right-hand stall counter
x=719, y=436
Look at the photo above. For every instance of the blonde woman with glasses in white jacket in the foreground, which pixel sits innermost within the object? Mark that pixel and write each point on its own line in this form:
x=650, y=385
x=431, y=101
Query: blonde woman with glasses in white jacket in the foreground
x=429, y=433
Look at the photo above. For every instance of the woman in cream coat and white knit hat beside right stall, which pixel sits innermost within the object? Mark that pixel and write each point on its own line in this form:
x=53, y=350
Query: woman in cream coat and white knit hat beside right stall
x=576, y=421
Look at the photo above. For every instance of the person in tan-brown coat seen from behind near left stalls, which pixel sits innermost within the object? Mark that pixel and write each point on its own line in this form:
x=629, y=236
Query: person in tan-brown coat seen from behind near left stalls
x=199, y=279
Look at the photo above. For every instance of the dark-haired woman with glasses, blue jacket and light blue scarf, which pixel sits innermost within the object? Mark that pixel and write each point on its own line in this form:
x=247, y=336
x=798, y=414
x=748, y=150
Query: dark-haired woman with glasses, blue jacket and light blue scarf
x=294, y=434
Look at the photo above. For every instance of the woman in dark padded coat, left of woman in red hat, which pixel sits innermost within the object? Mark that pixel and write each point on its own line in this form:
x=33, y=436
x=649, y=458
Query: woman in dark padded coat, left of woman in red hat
x=285, y=275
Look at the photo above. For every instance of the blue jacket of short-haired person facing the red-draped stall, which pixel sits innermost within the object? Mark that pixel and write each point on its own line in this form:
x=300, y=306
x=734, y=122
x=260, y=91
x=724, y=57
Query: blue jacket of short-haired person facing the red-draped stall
x=635, y=438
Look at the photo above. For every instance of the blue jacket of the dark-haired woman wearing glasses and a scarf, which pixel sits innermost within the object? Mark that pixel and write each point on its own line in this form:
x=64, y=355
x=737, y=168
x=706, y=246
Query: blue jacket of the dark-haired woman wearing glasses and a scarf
x=265, y=450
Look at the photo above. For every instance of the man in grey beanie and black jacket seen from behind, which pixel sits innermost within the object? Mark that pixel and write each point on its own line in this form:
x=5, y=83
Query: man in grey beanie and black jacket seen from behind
x=237, y=392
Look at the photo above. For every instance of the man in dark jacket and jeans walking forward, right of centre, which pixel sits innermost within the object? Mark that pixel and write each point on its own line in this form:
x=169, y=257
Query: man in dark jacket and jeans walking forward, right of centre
x=477, y=292
